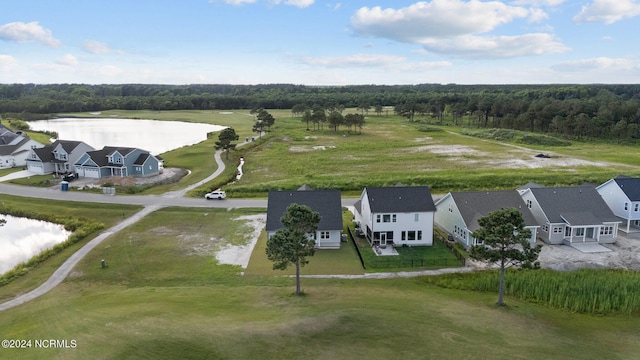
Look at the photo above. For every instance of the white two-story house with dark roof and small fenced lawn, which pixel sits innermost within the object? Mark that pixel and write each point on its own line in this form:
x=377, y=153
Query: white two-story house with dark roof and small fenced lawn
x=396, y=216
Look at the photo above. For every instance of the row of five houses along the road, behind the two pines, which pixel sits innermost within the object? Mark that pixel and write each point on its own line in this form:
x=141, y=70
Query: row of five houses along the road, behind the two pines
x=406, y=215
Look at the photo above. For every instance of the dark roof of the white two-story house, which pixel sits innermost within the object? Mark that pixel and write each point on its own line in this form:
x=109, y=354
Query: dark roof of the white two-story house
x=400, y=199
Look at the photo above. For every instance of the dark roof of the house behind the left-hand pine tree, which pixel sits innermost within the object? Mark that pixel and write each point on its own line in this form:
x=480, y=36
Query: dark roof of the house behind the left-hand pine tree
x=326, y=202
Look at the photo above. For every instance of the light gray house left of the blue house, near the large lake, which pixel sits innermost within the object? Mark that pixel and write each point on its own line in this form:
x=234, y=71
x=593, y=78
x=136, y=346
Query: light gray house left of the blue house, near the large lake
x=58, y=157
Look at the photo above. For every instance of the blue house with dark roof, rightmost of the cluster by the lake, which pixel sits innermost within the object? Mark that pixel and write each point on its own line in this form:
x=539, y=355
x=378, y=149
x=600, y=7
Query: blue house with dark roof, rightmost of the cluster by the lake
x=113, y=161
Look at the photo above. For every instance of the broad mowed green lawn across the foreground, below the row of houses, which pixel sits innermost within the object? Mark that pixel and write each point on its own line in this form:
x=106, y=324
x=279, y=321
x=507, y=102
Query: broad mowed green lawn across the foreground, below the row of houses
x=164, y=295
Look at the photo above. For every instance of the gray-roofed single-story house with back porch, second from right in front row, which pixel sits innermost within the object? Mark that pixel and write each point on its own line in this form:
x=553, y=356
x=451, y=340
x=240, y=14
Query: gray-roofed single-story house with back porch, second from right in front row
x=571, y=215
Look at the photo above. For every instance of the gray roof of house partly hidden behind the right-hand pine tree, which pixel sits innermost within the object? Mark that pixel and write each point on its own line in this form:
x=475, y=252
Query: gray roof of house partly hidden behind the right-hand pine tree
x=474, y=205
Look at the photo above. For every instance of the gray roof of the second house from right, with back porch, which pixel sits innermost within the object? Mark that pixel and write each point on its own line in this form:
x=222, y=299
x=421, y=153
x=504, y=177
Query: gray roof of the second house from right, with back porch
x=577, y=205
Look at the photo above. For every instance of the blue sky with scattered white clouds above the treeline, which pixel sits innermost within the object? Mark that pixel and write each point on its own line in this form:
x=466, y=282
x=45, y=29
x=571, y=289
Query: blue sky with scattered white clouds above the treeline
x=316, y=42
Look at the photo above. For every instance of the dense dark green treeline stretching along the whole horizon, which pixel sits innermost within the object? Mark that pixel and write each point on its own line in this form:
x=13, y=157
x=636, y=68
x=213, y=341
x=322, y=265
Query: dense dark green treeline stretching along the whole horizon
x=573, y=111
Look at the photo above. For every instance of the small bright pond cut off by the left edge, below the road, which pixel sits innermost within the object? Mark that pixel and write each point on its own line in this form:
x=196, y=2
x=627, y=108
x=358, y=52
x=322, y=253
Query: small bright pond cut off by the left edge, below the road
x=22, y=239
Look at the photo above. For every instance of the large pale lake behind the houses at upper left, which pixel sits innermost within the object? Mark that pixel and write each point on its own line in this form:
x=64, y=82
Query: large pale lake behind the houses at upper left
x=152, y=135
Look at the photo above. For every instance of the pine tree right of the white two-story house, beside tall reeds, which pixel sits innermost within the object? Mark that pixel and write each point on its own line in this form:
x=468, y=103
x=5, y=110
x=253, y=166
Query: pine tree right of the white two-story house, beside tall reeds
x=505, y=242
